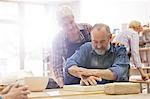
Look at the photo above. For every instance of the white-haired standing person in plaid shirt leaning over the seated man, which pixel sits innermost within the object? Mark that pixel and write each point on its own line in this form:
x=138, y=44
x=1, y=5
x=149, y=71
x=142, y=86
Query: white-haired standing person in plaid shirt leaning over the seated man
x=68, y=40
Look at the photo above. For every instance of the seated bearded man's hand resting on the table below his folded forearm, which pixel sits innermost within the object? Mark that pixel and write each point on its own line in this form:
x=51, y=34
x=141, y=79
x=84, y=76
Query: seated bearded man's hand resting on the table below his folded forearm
x=91, y=80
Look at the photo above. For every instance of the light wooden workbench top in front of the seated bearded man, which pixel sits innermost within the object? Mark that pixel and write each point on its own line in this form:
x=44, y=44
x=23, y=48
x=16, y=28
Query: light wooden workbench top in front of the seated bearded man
x=63, y=94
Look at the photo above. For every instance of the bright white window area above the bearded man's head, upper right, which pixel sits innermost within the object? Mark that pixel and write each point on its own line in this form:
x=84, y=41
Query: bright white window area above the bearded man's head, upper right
x=114, y=12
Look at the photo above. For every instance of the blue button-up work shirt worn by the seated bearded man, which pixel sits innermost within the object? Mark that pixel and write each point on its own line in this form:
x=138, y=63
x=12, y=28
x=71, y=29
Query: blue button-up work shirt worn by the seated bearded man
x=115, y=59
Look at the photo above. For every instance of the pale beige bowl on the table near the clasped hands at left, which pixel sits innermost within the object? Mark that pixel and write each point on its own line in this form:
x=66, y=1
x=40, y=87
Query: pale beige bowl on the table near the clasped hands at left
x=36, y=83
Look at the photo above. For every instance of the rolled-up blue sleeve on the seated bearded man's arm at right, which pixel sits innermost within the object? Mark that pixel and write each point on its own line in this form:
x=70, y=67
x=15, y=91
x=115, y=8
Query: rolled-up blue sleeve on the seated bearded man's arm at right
x=121, y=65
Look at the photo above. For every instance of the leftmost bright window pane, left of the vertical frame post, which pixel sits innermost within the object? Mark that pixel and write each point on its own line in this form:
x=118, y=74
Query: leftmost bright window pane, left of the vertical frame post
x=9, y=37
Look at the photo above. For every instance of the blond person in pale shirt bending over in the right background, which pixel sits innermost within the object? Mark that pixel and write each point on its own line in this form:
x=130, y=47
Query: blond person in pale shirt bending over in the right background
x=130, y=39
